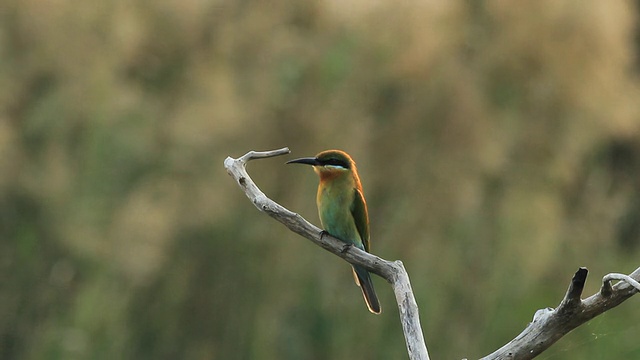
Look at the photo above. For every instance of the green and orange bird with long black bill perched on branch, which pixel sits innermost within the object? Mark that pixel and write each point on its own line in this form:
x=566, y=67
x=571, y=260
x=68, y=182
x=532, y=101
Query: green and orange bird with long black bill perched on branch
x=343, y=210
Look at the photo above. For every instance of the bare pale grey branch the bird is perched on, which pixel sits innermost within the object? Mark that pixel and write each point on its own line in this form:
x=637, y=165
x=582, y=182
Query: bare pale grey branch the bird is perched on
x=392, y=271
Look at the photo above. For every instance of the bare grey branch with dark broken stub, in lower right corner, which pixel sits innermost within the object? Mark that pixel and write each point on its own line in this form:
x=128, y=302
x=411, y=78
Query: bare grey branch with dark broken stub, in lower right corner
x=549, y=325
